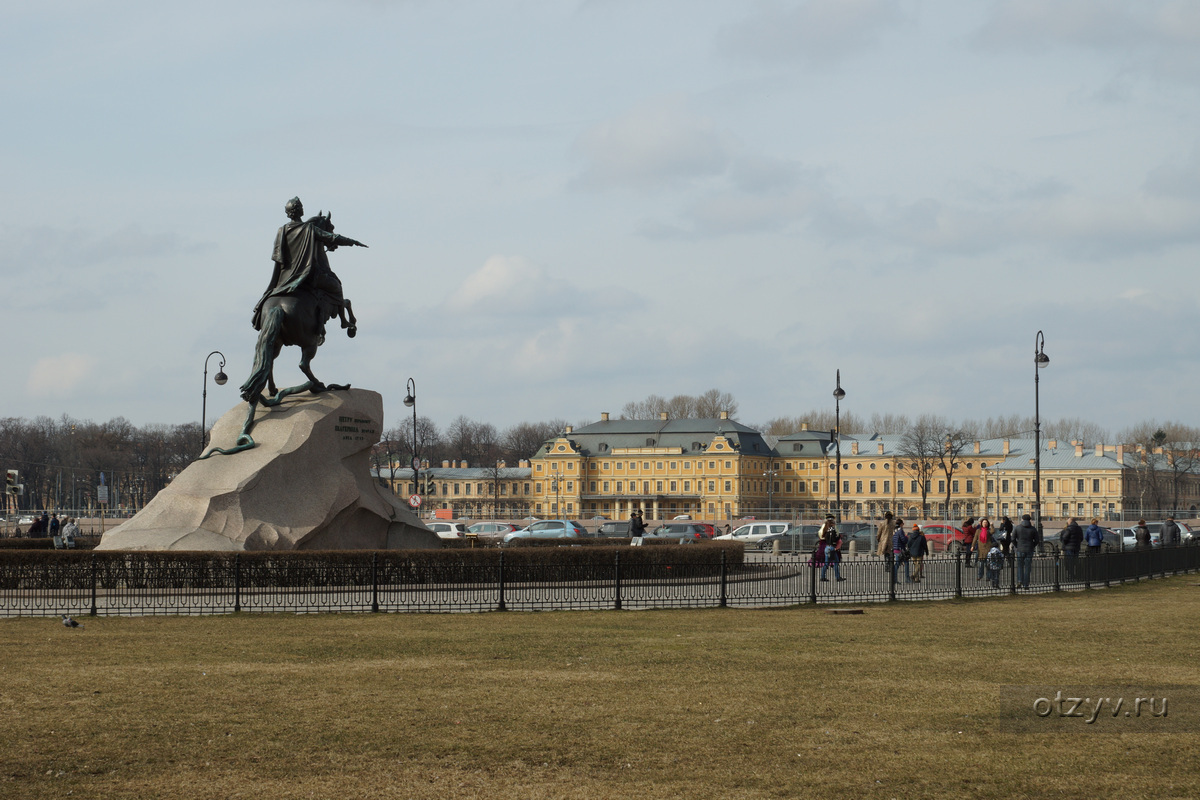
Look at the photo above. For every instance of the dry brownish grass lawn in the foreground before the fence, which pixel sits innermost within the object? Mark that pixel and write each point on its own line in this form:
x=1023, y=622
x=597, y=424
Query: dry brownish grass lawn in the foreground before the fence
x=908, y=701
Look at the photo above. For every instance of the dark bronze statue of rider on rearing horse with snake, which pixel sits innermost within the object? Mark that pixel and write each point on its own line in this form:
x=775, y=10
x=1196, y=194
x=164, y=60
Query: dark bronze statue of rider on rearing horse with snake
x=303, y=296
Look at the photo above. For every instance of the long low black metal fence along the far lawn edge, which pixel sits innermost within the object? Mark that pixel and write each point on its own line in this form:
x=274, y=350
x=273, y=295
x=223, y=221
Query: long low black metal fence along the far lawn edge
x=157, y=584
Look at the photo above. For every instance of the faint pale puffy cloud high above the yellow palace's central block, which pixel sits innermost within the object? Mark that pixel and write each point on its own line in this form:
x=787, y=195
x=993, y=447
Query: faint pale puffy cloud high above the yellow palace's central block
x=658, y=143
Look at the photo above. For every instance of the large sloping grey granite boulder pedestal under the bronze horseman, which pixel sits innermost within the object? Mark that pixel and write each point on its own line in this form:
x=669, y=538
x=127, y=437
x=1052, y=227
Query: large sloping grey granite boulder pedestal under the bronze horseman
x=307, y=486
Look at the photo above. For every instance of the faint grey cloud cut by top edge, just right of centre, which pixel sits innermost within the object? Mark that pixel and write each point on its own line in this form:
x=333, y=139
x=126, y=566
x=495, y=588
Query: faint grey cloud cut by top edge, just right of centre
x=818, y=32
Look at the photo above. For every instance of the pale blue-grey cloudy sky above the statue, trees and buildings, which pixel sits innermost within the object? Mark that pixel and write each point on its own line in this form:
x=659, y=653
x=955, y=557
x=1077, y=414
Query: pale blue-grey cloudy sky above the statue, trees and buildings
x=572, y=206
